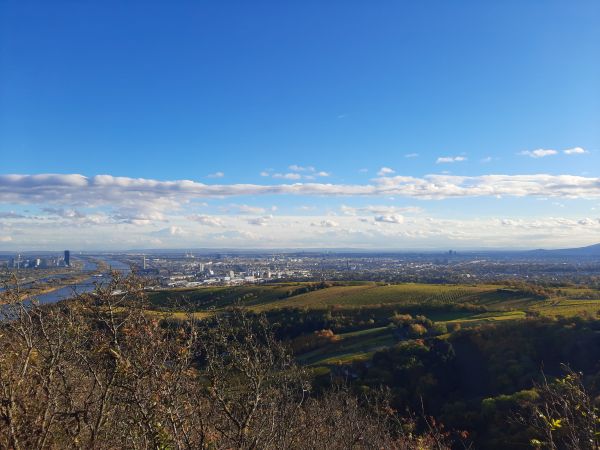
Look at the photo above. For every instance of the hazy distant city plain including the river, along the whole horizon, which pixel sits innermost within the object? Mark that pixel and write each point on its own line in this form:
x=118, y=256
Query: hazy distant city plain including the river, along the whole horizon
x=167, y=269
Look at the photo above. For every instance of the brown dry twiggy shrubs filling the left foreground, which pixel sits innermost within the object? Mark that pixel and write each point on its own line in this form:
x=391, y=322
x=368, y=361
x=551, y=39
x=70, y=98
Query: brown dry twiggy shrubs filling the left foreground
x=99, y=372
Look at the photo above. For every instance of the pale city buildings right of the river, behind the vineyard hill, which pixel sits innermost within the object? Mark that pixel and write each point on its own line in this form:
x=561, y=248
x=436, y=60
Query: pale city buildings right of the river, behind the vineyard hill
x=188, y=270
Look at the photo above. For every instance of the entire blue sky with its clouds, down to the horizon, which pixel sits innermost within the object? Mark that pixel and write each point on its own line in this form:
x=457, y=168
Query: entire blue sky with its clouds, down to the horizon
x=325, y=93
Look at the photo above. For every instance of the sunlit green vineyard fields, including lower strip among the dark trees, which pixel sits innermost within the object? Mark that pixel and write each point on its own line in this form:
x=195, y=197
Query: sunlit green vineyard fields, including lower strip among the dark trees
x=464, y=305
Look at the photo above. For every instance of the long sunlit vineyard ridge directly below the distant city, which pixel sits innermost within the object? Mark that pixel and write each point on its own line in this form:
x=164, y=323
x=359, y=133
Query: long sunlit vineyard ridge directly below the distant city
x=440, y=302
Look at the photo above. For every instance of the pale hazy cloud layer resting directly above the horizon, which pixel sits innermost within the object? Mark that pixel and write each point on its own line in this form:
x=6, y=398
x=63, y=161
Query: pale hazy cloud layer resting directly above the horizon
x=377, y=228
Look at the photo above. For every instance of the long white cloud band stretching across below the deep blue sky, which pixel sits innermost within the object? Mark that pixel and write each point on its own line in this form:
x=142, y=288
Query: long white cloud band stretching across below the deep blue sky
x=147, y=199
